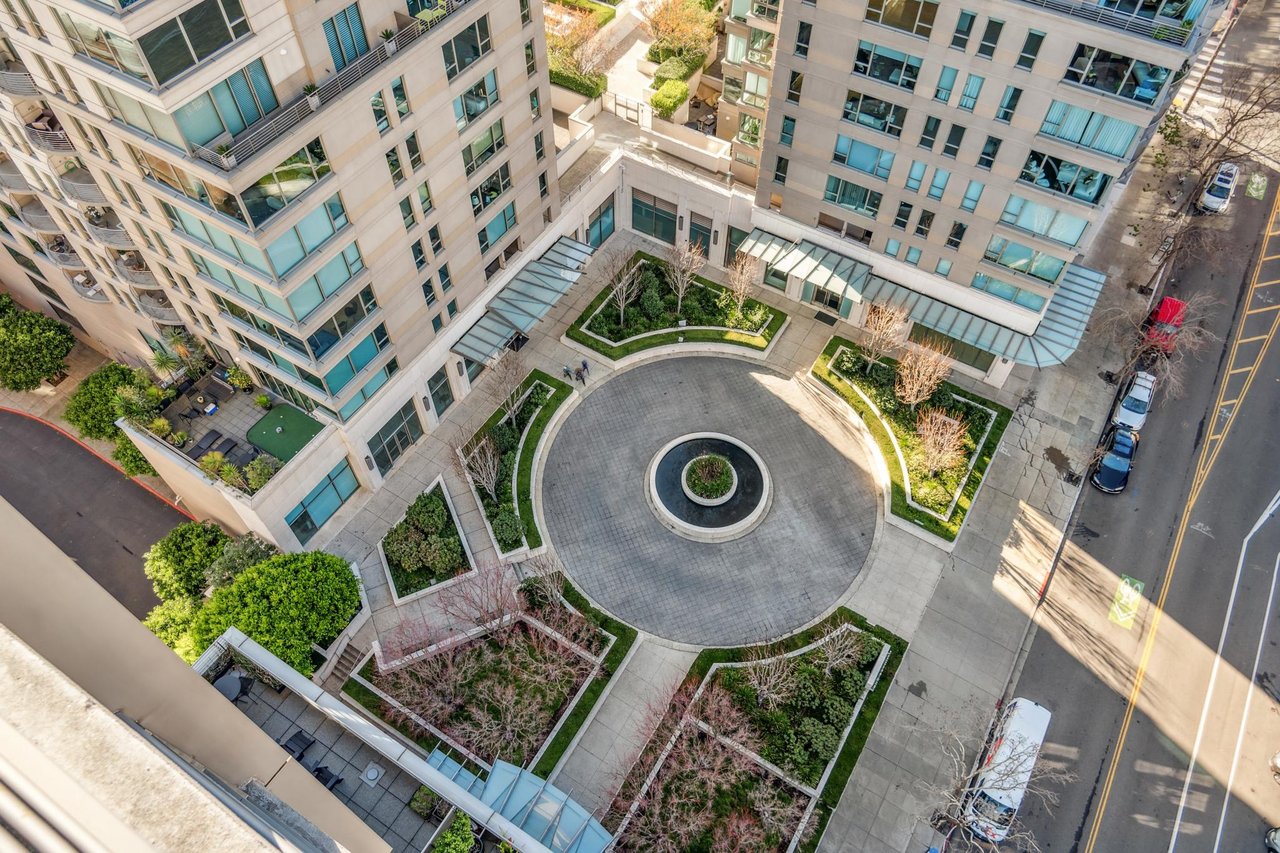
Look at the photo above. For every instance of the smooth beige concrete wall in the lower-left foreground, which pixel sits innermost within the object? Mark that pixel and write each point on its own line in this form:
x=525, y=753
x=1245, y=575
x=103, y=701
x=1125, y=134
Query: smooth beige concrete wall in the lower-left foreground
x=77, y=627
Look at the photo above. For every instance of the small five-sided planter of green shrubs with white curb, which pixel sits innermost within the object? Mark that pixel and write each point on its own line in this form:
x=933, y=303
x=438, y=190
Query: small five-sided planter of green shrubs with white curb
x=440, y=540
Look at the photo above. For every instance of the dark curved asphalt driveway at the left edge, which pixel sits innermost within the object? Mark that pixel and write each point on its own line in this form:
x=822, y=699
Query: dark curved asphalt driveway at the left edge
x=97, y=516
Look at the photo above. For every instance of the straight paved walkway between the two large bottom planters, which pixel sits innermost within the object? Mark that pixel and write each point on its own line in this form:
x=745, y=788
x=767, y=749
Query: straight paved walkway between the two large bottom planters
x=611, y=741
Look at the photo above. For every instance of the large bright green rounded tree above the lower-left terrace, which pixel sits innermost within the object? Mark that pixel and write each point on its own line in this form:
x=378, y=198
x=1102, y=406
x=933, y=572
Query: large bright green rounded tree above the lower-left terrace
x=286, y=604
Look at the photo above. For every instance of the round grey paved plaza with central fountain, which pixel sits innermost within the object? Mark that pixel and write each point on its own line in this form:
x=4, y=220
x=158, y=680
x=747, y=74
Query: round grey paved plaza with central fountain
x=801, y=513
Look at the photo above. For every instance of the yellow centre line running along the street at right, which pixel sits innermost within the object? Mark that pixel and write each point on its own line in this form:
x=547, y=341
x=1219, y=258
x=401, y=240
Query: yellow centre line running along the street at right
x=1205, y=464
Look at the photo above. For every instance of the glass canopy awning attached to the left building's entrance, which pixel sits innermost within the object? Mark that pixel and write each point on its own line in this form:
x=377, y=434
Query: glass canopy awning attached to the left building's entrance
x=525, y=300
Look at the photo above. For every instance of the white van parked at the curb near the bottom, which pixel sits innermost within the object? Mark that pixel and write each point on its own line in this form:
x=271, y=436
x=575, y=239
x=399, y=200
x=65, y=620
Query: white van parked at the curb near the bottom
x=1002, y=779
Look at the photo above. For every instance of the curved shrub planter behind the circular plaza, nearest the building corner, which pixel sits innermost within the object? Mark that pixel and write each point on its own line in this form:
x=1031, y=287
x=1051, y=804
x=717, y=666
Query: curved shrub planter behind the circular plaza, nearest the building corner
x=708, y=321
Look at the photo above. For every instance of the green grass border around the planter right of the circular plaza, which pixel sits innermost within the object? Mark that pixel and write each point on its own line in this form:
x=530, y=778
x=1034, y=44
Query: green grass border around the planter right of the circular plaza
x=950, y=528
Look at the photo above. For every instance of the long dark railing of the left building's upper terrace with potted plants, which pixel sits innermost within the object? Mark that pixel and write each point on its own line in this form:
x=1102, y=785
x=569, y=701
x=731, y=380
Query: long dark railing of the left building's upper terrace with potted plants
x=267, y=133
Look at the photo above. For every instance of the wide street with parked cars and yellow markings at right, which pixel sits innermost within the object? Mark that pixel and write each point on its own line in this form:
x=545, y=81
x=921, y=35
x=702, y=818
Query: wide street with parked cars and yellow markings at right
x=1206, y=473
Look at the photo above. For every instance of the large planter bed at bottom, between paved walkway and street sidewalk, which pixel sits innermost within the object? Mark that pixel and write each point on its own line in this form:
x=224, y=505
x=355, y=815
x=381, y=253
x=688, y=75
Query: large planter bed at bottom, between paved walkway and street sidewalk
x=784, y=763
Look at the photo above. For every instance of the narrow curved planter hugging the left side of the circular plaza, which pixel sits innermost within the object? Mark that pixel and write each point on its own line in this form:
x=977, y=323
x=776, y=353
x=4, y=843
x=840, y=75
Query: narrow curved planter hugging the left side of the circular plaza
x=541, y=398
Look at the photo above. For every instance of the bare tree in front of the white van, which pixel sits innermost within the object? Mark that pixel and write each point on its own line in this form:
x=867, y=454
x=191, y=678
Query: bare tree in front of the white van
x=961, y=778
